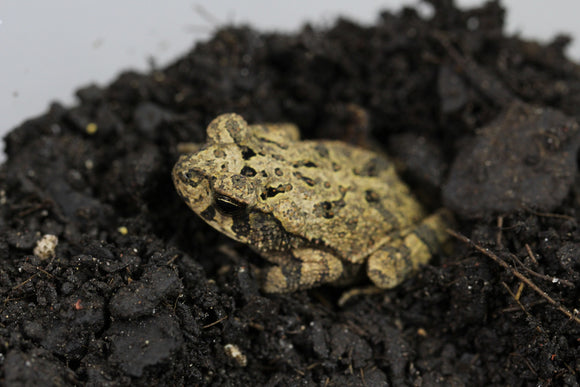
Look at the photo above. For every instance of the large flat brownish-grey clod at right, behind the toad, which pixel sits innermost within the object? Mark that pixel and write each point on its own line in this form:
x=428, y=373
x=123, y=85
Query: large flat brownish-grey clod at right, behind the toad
x=526, y=158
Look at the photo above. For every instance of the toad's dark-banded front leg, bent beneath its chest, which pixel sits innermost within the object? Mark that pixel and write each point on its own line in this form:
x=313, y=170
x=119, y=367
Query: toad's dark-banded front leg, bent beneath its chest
x=305, y=269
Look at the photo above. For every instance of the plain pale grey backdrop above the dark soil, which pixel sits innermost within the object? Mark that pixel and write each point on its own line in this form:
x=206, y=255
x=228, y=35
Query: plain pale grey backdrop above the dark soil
x=48, y=49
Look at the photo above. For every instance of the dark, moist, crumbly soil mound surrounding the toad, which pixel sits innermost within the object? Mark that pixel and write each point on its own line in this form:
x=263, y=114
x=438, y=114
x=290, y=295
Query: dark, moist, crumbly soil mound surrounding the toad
x=140, y=291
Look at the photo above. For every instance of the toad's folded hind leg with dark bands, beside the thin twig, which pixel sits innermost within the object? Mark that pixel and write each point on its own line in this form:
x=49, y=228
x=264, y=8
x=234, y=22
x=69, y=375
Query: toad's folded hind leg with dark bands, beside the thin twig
x=394, y=262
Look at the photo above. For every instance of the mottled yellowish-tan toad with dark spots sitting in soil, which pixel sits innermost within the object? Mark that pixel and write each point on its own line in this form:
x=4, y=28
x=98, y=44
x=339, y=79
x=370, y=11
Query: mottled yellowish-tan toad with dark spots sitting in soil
x=315, y=209
